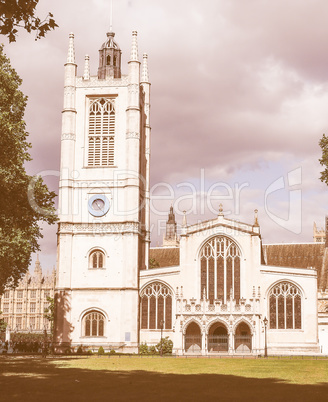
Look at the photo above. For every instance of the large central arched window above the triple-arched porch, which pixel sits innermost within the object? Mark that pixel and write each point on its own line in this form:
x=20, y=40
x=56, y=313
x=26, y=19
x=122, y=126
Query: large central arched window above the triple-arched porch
x=220, y=269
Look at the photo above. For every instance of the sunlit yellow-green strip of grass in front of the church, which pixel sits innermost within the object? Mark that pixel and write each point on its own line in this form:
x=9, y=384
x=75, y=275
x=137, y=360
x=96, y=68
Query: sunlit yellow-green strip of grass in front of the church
x=295, y=371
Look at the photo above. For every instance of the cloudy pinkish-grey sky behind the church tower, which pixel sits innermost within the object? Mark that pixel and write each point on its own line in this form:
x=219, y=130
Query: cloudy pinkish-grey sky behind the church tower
x=239, y=102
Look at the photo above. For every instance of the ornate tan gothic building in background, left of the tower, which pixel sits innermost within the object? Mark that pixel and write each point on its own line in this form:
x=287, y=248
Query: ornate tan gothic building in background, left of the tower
x=23, y=307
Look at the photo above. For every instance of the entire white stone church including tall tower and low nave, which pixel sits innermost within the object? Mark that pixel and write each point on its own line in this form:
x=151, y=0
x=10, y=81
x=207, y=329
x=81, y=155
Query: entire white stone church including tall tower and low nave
x=213, y=291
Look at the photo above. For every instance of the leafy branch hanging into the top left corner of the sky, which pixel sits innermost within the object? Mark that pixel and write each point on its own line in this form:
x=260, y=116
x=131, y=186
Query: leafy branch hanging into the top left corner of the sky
x=21, y=14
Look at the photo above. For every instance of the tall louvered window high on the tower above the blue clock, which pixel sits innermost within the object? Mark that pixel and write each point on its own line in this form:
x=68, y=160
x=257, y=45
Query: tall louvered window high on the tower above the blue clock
x=101, y=133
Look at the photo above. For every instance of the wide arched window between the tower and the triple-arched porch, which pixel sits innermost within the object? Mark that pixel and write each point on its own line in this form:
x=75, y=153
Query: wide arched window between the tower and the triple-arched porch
x=156, y=307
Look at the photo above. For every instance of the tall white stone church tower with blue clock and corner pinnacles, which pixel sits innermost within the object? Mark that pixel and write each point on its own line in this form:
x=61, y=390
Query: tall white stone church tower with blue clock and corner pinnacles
x=103, y=234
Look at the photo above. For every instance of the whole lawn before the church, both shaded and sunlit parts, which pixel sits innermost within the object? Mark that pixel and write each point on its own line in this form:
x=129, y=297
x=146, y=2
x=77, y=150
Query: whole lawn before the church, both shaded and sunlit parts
x=162, y=379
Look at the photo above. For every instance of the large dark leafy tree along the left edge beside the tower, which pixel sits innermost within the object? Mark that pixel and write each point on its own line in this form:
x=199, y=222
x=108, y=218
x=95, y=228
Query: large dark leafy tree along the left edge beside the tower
x=24, y=200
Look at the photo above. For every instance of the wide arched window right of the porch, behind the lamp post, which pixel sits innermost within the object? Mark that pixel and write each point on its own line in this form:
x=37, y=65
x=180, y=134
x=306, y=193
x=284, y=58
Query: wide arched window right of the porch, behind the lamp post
x=285, y=306
